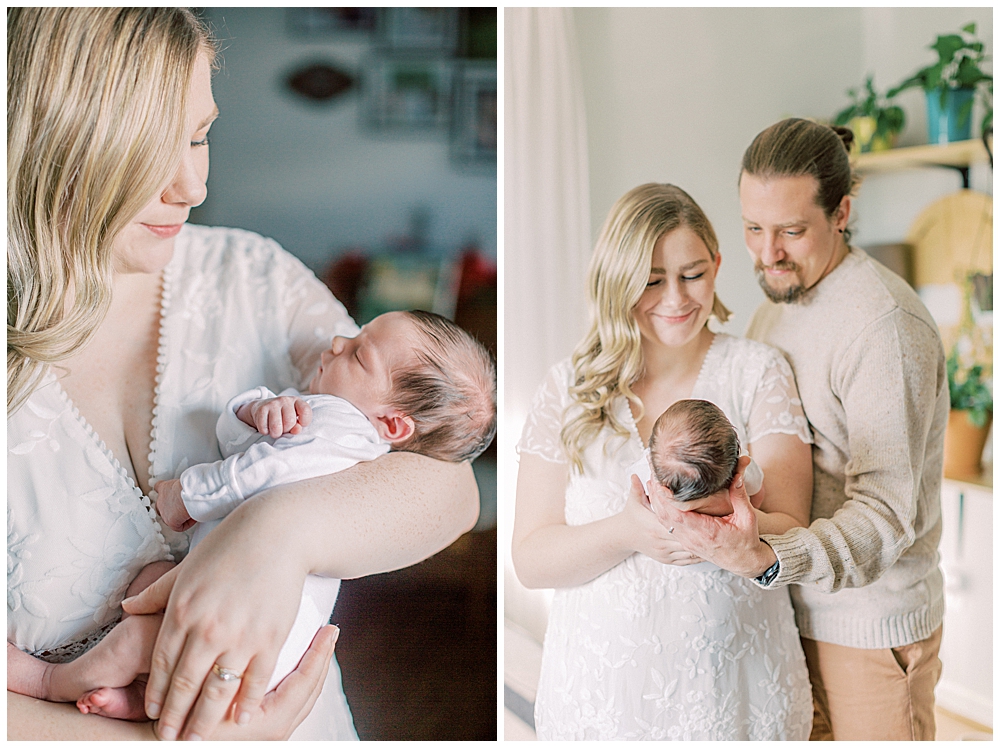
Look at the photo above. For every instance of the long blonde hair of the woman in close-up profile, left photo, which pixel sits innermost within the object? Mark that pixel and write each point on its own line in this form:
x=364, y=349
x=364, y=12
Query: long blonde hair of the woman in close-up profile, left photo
x=95, y=127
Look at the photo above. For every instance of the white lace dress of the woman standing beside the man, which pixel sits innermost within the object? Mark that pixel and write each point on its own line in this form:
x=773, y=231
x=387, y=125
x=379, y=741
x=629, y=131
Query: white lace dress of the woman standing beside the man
x=657, y=652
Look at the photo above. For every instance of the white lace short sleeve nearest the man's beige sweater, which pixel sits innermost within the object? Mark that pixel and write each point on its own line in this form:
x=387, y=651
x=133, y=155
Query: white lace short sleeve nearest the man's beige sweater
x=776, y=407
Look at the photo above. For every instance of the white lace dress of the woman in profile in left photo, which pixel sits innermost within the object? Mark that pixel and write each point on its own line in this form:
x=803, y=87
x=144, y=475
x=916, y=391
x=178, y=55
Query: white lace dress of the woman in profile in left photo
x=237, y=312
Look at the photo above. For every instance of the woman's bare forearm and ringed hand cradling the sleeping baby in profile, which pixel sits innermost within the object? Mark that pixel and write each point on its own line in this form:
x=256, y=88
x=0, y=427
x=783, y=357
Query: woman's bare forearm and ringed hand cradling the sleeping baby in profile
x=375, y=517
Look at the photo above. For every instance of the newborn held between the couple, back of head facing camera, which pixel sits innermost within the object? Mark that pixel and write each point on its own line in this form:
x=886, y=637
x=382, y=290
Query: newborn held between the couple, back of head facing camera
x=693, y=451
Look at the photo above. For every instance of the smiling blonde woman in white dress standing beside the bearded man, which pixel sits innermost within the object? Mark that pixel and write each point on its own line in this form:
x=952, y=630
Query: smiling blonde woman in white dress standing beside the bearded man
x=643, y=641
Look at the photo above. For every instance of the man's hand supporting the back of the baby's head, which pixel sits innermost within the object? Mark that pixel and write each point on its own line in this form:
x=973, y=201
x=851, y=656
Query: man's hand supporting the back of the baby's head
x=731, y=542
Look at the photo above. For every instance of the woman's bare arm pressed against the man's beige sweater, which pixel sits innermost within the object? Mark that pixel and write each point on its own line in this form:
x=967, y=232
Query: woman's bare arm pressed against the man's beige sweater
x=787, y=464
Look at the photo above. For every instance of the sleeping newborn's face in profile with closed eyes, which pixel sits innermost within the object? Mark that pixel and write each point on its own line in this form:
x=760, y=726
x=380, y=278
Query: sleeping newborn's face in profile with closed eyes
x=360, y=369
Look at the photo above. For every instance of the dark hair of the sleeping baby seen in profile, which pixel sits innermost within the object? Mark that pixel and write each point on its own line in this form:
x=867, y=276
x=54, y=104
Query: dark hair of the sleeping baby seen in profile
x=450, y=392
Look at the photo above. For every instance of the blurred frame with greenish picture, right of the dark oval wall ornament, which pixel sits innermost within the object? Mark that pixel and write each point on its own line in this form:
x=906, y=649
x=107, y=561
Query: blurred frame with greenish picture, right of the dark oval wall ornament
x=407, y=93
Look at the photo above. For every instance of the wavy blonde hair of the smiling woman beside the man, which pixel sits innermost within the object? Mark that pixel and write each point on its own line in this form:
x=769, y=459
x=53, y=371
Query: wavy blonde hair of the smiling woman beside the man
x=608, y=361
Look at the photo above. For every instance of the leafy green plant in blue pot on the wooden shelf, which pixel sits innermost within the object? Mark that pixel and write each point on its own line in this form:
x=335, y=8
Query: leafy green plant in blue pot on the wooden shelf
x=950, y=85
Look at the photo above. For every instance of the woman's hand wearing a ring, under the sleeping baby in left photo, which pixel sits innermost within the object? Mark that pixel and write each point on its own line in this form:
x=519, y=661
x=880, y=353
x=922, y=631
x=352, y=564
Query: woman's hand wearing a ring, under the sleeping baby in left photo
x=215, y=614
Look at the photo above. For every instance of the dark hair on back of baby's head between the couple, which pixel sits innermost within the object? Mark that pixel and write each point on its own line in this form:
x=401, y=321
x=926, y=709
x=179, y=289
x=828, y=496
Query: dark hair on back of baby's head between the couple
x=694, y=449
